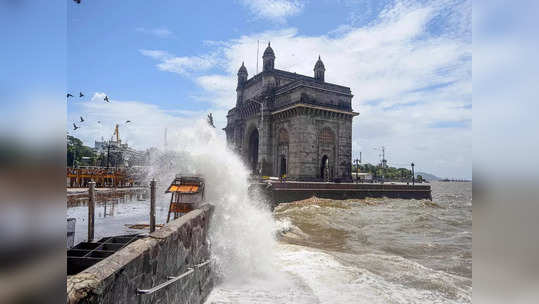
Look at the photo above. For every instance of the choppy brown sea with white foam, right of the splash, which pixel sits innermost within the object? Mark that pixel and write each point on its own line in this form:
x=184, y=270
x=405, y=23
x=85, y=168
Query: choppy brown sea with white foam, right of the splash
x=366, y=251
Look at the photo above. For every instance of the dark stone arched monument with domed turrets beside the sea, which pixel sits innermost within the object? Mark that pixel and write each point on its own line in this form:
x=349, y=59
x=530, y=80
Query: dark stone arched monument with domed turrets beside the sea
x=286, y=123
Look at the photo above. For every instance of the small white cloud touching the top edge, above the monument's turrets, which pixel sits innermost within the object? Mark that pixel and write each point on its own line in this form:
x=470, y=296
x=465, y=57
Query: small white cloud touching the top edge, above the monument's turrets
x=275, y=10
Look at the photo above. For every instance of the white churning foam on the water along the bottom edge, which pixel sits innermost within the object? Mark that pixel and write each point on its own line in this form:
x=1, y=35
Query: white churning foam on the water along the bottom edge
x=313, y=276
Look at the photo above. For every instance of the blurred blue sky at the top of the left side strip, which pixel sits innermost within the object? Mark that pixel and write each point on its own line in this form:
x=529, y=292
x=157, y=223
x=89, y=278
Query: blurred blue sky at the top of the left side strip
x=28, y=34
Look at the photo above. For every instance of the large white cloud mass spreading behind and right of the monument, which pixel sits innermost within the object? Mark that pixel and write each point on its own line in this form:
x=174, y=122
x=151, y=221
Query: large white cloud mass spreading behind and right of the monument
x=404, y=81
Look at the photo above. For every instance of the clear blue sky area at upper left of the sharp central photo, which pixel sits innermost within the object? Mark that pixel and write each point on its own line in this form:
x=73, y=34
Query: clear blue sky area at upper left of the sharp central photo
x=104, y=39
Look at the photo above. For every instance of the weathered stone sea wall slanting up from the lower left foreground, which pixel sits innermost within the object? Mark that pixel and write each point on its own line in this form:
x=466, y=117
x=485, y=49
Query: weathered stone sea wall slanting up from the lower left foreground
x=144, y=264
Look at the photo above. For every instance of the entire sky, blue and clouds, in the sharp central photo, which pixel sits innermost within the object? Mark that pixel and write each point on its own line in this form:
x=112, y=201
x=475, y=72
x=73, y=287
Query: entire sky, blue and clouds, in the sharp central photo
x=164, y=64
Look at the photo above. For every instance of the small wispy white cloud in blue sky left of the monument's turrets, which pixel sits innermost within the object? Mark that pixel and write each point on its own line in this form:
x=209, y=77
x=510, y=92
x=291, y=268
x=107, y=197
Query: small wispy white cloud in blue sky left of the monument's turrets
x=181, y=65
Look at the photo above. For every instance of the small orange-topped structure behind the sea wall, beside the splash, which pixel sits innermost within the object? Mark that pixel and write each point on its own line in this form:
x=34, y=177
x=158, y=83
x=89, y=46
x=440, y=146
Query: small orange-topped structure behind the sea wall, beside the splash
x=187, y=193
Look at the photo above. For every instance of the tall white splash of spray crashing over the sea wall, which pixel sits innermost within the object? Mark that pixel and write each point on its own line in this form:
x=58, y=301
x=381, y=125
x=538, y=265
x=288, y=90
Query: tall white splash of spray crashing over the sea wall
x=241, y=232
